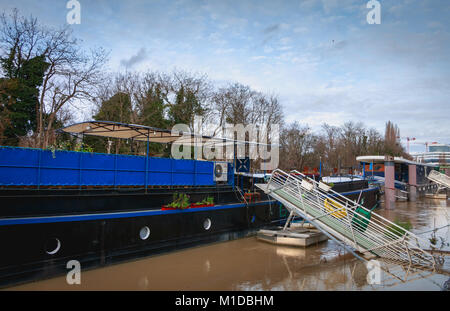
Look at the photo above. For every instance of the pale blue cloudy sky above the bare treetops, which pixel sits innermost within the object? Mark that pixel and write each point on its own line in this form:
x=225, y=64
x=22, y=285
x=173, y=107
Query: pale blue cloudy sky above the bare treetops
x=322, y=58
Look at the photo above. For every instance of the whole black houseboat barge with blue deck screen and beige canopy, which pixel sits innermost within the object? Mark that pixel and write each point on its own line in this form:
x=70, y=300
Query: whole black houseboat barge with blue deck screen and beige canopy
x=57, y=206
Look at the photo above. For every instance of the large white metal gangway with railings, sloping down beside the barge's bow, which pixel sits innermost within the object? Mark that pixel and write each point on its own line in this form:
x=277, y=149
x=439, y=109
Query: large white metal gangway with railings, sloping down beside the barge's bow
x=346, y=221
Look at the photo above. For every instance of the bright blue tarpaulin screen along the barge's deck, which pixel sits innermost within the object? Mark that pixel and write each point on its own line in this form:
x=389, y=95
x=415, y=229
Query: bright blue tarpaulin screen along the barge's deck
x=38, y=167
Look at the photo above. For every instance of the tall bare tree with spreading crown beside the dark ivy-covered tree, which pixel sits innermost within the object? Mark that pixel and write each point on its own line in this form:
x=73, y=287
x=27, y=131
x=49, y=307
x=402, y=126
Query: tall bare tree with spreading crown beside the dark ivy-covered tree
x=72, y=73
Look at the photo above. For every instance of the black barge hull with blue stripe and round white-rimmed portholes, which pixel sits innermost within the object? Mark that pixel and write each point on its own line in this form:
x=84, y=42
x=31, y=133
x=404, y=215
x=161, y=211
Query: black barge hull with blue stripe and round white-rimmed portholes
x=104, y=228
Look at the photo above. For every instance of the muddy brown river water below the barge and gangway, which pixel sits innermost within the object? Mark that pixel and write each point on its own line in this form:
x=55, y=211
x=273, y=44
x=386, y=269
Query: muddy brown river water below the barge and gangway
x=249, y=264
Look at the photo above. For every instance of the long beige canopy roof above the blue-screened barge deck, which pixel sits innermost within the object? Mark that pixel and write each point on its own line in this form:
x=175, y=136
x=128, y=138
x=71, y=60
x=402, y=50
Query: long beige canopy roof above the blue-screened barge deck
x=145, y=133
